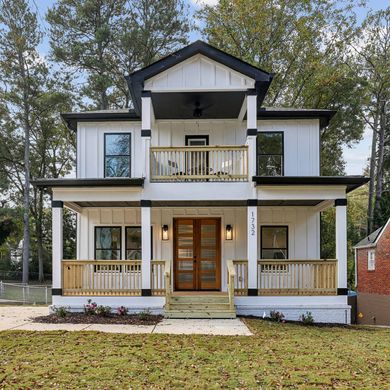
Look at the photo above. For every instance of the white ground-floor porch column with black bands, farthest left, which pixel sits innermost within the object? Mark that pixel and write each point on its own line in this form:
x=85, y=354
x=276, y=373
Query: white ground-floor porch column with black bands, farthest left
x=57, y=245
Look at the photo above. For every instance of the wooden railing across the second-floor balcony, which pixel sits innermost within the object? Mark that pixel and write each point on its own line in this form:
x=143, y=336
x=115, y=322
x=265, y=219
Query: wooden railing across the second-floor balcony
x=198, y=163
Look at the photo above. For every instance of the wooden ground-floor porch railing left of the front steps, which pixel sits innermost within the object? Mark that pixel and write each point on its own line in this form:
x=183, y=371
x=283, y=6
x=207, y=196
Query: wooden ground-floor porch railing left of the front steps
x=110, y=277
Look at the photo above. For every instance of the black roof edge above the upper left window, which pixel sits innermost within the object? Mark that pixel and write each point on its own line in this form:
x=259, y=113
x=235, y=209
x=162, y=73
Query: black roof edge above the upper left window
x=72, y=118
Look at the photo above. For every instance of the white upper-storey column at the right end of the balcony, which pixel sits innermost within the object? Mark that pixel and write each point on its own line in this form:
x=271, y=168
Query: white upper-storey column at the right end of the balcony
x=251, y=133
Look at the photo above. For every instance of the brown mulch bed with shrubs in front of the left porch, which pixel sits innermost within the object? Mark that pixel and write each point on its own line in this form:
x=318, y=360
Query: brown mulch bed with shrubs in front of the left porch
x=81, y=318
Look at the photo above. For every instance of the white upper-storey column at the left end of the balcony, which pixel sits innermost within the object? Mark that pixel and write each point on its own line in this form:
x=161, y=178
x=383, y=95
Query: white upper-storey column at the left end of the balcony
x=146, y=131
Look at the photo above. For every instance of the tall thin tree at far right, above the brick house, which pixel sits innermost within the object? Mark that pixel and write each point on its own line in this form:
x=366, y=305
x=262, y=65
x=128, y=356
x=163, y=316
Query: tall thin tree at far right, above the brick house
x=372, y=48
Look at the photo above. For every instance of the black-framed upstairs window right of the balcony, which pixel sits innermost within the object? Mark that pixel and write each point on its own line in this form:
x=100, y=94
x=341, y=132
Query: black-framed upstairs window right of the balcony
x=270, y=154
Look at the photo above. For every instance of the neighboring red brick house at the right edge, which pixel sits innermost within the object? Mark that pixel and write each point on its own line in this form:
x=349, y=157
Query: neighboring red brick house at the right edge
x=372, y=275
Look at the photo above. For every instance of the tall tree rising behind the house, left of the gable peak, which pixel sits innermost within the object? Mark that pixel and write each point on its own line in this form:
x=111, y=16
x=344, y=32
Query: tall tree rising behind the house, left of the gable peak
x=107, y=39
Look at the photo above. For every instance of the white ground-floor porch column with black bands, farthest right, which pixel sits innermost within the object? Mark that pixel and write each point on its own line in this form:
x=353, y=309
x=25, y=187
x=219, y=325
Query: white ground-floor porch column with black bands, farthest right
x=341, y=245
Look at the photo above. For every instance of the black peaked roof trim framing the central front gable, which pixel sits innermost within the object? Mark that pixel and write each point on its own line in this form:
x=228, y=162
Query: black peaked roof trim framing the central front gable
x=136, y=79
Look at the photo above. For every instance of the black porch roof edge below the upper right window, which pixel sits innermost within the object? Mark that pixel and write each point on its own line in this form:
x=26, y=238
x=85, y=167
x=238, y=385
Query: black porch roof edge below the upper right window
x=352, y=182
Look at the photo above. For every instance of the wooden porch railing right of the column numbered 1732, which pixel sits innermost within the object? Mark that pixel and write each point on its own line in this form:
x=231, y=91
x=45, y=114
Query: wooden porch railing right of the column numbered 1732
x=297, y=277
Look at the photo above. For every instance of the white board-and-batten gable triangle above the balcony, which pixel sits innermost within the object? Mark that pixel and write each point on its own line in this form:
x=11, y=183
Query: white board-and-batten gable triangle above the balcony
x=198, y=73
